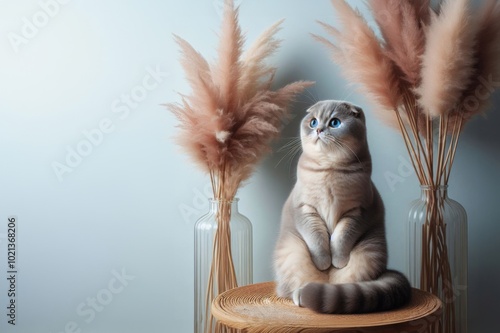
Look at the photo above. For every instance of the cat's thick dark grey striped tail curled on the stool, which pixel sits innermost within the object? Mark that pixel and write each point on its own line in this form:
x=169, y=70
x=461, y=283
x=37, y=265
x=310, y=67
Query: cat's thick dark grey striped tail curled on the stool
x=389, y=291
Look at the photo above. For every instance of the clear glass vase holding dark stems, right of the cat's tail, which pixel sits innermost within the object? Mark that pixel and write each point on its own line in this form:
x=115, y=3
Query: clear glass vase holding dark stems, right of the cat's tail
x=437, y=253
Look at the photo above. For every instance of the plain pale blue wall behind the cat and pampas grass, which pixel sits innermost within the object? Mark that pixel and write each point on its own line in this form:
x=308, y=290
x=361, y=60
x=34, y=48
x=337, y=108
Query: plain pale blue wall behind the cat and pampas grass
x=129, y=206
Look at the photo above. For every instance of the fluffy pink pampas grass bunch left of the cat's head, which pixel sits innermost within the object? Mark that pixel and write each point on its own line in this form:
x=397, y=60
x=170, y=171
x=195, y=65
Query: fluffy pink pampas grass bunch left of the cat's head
x=228, y=121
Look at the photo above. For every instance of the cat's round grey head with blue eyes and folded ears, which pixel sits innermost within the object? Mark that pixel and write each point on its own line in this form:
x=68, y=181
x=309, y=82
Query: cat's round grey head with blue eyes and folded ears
x=334, y=131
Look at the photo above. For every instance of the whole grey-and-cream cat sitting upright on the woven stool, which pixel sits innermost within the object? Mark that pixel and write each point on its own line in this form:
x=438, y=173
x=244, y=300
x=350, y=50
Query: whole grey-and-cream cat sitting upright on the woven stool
x=331, y=254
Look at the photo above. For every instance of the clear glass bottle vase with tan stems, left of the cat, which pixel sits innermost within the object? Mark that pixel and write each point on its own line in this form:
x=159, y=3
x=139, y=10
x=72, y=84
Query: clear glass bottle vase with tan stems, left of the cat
x=223, y=258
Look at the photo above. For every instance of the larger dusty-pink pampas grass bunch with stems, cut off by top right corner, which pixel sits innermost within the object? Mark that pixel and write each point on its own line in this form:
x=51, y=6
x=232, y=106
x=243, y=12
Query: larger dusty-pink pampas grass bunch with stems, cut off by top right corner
x=432, y=68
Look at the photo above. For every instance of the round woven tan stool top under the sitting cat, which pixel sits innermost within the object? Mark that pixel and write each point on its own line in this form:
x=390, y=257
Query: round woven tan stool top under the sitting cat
x=256, y=308
